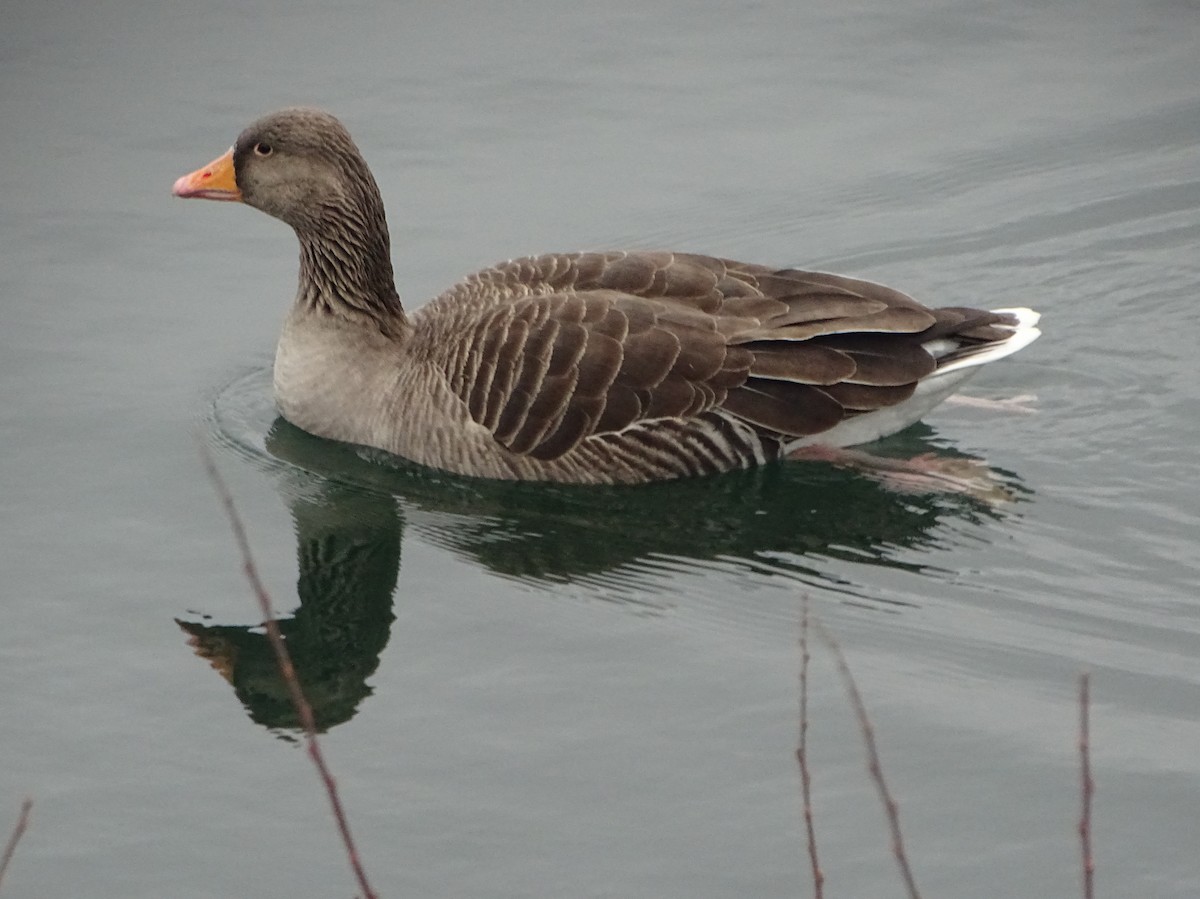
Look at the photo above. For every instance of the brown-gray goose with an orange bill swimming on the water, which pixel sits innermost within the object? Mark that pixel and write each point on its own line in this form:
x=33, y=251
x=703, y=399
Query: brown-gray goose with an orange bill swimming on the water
x=581, y=368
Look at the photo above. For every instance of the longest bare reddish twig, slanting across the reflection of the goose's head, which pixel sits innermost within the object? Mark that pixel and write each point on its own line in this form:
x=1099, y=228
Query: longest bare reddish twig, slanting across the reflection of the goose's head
x=287, y=670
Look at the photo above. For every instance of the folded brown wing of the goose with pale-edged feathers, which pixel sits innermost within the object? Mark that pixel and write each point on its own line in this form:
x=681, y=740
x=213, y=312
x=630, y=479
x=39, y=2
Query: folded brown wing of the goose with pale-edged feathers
x=550, y=351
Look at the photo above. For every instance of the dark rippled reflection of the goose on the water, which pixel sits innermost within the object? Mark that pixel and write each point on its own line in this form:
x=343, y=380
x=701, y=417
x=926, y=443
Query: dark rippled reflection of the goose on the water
x=351, y=512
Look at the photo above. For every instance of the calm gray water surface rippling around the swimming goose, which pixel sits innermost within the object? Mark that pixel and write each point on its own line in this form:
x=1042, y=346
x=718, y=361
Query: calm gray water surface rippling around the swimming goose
x=532, y=692
